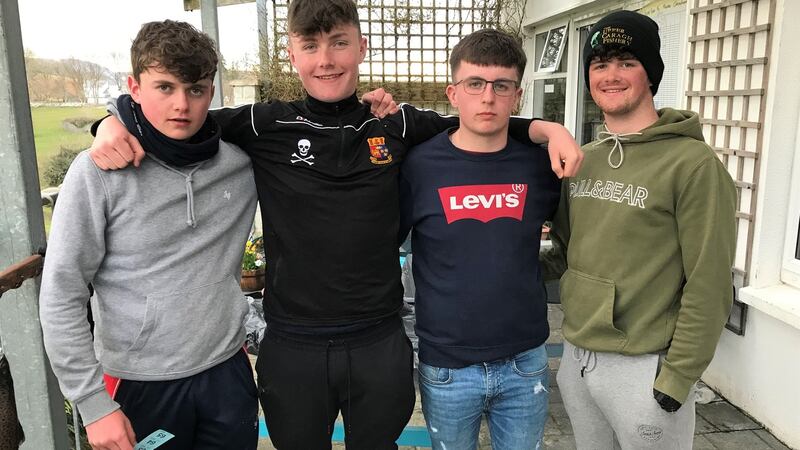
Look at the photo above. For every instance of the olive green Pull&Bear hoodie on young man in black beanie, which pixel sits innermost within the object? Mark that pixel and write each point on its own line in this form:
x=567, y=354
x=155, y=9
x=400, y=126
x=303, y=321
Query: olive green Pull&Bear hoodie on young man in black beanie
x=649, y=248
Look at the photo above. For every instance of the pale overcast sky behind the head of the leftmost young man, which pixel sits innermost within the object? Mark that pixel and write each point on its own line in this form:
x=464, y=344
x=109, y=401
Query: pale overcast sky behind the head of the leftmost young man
x=101, y=31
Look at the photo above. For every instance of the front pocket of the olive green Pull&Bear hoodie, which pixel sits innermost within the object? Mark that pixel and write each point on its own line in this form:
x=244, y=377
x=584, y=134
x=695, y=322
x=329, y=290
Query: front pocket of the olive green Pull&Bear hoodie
x=588, y=303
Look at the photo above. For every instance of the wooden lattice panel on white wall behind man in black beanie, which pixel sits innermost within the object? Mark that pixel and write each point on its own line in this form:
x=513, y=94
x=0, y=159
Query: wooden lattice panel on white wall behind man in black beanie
x=729, y=41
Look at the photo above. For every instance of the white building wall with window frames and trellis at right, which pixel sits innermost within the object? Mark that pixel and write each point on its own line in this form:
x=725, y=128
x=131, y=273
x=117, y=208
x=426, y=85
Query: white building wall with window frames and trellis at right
x=741, y=72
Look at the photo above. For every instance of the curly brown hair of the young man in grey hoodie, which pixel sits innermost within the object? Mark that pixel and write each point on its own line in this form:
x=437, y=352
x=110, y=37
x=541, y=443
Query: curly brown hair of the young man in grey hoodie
x=177, y=47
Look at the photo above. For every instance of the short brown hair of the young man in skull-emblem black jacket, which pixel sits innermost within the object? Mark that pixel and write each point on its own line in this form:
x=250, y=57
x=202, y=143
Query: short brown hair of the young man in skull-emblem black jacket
x=309, y=17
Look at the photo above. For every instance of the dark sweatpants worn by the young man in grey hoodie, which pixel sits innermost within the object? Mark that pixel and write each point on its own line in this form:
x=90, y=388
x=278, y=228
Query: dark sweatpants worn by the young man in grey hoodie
x=214, y=409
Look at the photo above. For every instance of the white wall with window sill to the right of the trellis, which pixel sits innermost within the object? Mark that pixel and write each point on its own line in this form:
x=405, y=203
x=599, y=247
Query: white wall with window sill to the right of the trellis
x=758, y=371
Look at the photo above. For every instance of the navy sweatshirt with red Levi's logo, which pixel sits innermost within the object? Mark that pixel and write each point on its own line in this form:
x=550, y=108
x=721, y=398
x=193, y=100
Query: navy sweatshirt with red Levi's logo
x=475, y=223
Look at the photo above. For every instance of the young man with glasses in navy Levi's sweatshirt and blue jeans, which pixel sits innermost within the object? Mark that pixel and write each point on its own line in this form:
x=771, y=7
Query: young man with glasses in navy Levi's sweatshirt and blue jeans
x=476, y=200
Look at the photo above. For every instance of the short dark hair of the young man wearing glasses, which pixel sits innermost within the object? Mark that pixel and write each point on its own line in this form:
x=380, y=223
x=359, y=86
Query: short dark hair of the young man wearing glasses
x=489, y=48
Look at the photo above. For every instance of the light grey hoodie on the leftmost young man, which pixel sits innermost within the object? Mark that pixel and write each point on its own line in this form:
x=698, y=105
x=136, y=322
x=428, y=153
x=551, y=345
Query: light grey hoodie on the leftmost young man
x=162, y=247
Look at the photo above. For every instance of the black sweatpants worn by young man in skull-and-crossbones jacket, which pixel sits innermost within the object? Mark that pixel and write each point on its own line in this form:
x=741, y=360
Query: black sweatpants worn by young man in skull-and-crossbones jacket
x=304, y=381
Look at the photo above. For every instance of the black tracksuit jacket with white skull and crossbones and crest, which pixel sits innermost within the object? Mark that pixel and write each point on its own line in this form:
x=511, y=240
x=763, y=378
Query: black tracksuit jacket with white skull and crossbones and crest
x=327, y=180
